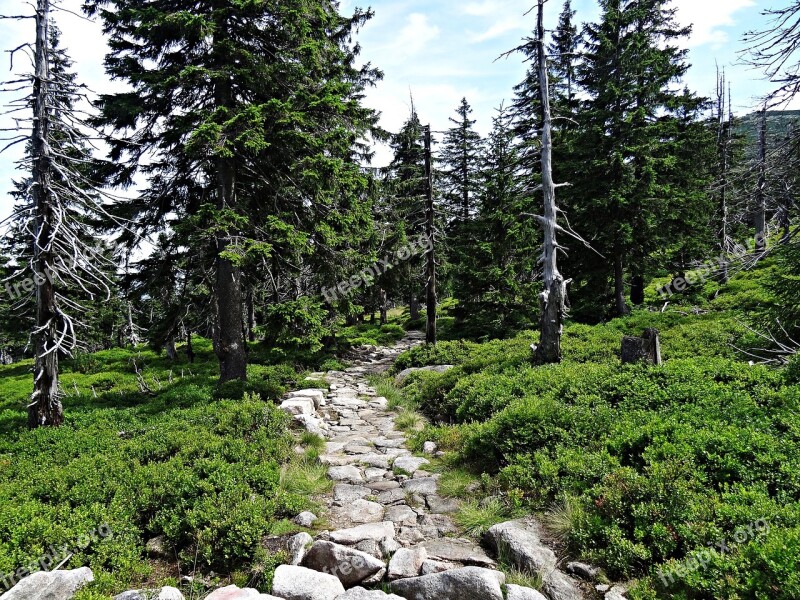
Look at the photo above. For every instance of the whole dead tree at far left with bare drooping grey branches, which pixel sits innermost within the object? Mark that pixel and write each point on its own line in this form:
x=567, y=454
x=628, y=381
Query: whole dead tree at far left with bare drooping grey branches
x=59, y=198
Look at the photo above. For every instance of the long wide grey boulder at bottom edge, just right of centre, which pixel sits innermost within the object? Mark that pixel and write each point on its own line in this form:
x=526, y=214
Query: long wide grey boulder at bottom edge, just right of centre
x=469, y=583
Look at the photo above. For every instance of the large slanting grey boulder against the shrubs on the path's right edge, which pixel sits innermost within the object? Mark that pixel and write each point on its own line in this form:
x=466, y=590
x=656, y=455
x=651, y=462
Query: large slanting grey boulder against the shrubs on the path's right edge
x=521, y=542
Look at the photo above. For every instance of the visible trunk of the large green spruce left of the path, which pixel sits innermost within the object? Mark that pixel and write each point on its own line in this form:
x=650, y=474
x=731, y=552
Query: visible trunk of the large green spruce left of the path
x=228, y=342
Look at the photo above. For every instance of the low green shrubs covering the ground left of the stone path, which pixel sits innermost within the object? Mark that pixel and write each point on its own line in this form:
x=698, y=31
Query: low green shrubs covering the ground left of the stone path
x=202, y=471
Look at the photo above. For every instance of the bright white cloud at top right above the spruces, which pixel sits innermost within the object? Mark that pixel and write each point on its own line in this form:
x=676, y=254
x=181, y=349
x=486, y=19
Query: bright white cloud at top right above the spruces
x=709, y=19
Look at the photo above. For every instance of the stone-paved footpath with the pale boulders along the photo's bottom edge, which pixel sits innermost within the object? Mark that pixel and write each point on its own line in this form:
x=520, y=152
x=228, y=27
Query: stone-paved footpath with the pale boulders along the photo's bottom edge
x=390, y=535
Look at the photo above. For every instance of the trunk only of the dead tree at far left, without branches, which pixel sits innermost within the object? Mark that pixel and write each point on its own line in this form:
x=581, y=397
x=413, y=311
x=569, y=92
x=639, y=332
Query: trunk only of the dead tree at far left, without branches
x=45, y=408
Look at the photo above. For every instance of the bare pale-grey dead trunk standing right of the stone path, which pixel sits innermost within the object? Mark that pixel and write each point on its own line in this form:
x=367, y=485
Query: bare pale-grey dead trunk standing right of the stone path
x=552, y=298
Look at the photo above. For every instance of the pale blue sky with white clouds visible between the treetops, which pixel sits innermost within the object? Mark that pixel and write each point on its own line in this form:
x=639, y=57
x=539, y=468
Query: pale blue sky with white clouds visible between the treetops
x=443, y=50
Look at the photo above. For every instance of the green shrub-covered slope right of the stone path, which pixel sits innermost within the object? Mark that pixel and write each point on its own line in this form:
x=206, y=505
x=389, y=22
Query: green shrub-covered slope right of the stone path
x=642, y=468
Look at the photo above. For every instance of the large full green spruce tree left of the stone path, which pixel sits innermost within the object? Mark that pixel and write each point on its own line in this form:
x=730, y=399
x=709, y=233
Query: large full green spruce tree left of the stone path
x=247, y=118
